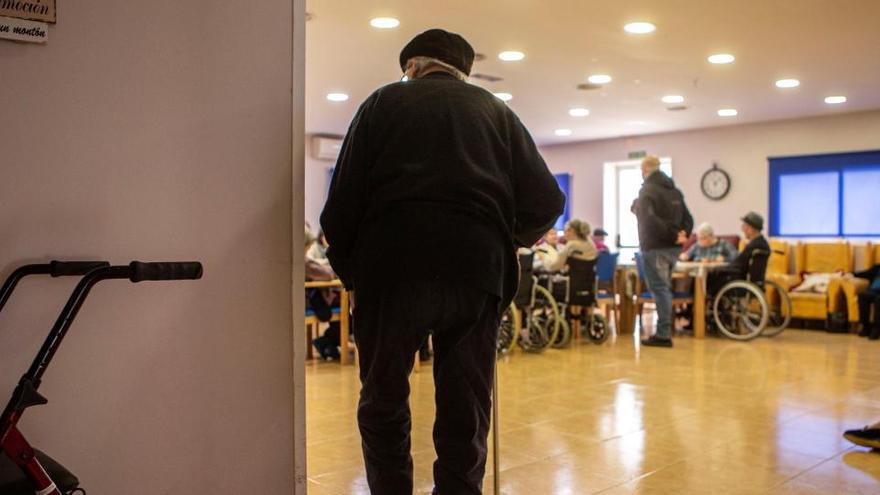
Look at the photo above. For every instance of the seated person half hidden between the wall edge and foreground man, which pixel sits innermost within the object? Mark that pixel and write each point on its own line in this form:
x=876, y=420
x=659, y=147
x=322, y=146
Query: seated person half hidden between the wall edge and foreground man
x=322, y=302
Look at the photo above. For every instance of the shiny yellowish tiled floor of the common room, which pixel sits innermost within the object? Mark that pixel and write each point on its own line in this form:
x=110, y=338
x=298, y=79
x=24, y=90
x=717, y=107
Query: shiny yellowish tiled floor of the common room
x=707, y=417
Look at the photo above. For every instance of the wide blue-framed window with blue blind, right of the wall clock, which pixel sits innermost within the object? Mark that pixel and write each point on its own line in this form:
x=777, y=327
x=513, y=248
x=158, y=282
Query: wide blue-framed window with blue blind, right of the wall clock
x=834, y=195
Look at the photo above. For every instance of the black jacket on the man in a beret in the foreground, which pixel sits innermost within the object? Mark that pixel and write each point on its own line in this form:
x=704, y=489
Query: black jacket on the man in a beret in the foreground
x=438, y=180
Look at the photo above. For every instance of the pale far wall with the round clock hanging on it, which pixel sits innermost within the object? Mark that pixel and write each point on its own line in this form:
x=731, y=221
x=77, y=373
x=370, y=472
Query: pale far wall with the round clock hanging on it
x=741, y=150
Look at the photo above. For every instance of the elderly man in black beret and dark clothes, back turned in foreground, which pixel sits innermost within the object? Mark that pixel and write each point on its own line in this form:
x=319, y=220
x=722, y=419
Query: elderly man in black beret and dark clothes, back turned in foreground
x=428, y=166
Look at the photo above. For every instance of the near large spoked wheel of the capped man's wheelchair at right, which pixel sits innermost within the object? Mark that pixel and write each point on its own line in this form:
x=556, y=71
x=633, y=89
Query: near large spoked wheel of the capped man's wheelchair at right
x=741, y=311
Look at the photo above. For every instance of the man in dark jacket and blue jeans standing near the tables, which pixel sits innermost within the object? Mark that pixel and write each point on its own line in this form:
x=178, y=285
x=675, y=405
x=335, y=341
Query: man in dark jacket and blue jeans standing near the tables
x=664, y=224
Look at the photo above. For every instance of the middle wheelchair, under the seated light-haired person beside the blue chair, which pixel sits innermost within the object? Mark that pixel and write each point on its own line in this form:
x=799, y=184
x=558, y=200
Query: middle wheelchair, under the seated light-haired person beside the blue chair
x=576, y=294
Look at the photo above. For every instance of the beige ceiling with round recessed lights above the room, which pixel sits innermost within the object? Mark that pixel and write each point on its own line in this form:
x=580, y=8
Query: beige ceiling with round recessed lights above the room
x=831, y=46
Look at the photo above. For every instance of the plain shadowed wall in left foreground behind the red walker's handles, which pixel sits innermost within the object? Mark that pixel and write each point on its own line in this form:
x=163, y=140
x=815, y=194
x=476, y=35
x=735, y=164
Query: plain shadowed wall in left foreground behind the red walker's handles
x=159, y=131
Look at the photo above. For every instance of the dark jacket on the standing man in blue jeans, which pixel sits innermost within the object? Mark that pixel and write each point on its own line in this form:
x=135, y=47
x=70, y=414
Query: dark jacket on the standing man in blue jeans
x=662, y=213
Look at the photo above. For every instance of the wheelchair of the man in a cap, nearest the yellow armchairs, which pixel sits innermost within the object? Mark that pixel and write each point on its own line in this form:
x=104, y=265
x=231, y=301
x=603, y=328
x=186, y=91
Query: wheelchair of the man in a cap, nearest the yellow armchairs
x=744, y=309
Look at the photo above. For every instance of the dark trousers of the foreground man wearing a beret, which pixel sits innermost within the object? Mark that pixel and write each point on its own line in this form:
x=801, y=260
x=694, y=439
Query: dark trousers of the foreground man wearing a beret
x=391, y=323
